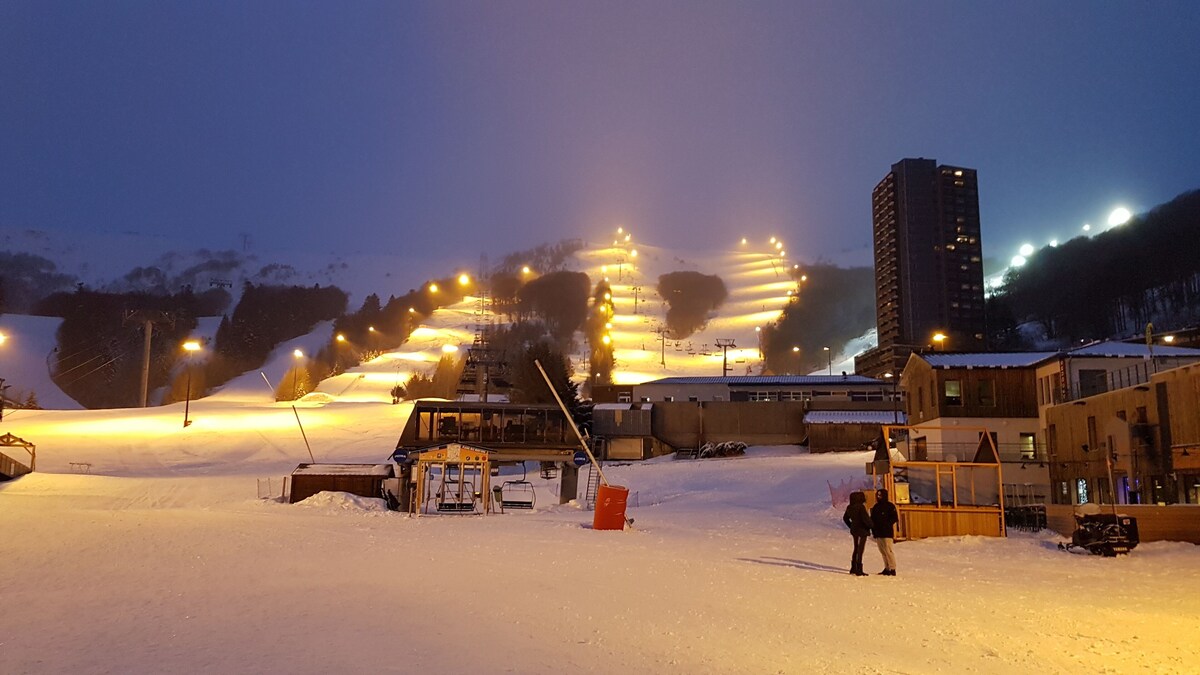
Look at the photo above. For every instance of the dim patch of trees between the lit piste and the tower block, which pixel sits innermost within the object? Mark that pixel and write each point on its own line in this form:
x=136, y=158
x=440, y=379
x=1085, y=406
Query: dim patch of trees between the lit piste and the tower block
x=830, y=307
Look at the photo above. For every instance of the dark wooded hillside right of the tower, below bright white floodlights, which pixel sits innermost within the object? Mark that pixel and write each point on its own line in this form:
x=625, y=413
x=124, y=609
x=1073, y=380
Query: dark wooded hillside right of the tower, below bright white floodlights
x=1111, y=285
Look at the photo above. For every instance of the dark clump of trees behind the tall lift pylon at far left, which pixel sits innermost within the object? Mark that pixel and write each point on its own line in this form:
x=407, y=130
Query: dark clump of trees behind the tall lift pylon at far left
x=99, y=360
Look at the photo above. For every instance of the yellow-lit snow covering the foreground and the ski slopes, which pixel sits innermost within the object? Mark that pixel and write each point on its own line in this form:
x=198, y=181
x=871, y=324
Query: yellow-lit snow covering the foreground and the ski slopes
x=145, y=547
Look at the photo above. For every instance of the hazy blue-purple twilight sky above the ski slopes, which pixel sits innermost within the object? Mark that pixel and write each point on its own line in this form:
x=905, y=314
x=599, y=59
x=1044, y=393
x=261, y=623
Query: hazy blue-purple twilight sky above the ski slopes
x=430, y=128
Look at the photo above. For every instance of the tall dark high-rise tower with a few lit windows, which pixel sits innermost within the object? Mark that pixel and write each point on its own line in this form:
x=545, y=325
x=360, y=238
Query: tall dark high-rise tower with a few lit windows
x=928, y=264
